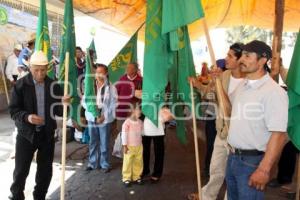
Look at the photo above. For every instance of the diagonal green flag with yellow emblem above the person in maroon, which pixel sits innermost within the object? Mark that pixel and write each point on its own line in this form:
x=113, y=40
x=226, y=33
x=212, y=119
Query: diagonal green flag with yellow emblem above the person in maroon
x=128, y=54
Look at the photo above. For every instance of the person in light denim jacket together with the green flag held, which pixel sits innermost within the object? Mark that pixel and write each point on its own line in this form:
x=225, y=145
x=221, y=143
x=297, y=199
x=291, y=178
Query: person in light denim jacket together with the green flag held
x=99, y=102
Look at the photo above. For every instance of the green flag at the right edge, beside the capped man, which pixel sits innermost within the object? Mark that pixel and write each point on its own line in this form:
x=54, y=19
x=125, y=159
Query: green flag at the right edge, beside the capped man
x=293, y=83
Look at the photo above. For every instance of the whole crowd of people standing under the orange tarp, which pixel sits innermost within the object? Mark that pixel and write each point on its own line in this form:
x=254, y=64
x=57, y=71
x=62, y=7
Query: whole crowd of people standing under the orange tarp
x=241, y=155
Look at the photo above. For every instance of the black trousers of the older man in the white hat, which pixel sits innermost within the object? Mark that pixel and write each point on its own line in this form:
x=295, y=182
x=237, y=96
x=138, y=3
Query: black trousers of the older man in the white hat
x=23, y=157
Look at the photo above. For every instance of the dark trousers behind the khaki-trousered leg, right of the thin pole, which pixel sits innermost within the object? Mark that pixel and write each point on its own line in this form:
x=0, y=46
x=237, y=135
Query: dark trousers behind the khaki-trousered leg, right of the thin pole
x=211, y=132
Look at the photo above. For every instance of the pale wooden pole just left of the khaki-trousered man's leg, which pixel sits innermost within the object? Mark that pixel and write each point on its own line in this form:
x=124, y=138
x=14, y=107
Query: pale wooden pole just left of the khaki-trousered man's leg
x=196, y=144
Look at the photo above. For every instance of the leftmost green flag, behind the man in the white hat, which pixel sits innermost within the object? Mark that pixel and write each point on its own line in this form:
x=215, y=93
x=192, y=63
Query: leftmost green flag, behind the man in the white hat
x=42, y=41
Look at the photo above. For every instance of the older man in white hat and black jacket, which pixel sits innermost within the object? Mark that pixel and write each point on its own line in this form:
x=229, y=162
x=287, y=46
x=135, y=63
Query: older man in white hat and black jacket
x=31, y=106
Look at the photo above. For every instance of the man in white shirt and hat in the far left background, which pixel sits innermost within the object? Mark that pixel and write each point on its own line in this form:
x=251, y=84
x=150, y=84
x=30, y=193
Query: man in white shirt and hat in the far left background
x=12, y=64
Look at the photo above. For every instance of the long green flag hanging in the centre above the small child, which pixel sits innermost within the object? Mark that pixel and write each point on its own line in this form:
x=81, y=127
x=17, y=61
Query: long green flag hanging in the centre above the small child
x=158, y=59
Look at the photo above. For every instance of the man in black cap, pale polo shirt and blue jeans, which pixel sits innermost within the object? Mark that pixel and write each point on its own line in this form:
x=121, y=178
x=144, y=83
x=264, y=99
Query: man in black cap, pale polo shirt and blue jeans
x=258, y=124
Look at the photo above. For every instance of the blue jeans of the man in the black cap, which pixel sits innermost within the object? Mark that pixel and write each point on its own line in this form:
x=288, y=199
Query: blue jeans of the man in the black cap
x=238, y=172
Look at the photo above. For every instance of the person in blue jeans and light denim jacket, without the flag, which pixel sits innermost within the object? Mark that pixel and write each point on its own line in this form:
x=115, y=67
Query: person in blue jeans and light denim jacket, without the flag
x=99, y=126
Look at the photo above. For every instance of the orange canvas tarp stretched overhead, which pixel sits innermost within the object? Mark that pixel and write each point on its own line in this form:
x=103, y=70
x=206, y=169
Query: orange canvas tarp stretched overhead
x=128, y=15
